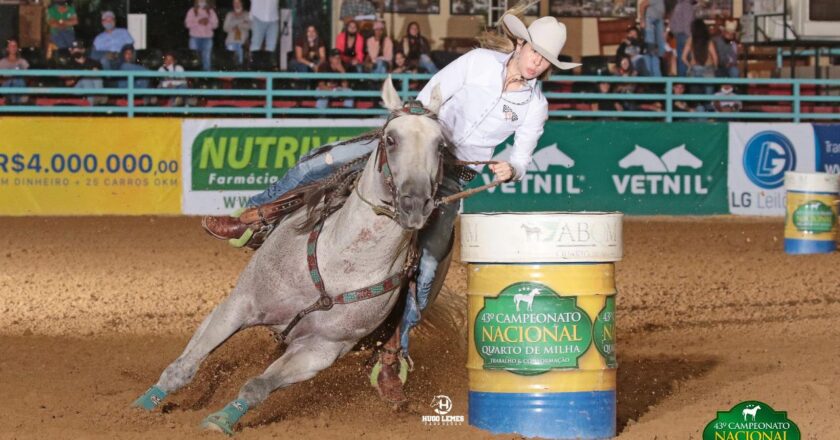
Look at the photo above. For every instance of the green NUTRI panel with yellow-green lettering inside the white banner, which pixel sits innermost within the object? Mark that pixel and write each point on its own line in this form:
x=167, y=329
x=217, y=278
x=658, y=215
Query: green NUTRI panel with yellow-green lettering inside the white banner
x=251, y=158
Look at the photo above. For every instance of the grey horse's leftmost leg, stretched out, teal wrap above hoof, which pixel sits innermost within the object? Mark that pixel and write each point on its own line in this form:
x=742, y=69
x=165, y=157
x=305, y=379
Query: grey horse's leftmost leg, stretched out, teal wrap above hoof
x=225, y=320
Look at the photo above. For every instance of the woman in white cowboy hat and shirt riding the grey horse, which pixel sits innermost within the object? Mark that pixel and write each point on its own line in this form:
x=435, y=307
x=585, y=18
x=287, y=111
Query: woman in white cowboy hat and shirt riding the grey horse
x=487, y=94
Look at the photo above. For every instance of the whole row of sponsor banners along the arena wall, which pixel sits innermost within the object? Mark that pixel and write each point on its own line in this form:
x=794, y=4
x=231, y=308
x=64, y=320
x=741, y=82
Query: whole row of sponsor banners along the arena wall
x=132, y=166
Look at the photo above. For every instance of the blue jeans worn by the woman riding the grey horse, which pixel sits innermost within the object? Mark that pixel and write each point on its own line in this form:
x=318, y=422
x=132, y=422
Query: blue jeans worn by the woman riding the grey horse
x=434, y=240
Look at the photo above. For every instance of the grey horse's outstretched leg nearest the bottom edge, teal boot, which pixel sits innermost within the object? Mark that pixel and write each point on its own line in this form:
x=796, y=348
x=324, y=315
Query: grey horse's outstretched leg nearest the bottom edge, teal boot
x=302, y=360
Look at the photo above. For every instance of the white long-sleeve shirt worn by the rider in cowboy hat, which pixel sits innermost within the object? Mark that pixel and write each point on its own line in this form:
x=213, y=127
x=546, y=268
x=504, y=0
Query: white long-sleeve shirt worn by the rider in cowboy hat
x=478, y=116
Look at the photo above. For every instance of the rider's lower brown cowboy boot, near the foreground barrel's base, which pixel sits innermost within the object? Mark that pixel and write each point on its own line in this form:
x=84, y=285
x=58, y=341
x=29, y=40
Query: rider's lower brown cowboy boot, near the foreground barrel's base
x=390, y=372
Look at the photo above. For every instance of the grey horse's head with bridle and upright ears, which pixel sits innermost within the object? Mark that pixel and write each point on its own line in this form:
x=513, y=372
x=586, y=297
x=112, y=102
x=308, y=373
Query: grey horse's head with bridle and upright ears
x=410, y=155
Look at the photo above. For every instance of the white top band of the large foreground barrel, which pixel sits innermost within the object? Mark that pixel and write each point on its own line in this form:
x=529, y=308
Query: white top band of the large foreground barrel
x=542, y=237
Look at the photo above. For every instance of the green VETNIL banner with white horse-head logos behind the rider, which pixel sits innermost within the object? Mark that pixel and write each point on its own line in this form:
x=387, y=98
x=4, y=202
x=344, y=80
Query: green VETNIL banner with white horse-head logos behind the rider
x=634, y=167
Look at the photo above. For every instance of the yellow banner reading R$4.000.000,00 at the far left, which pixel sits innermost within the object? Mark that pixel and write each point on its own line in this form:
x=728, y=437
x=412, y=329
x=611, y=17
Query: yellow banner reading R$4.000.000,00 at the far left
x=90, y=166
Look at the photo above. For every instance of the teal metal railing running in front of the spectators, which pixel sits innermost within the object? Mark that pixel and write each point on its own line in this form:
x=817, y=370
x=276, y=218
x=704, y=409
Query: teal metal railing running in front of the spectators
x=269, y=94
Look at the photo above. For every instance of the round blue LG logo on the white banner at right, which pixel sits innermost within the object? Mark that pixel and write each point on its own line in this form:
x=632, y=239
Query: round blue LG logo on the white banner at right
x=767, y=156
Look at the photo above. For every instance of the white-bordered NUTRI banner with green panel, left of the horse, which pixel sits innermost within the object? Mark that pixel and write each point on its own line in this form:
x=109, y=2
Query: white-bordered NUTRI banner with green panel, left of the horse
x=226, y=161
